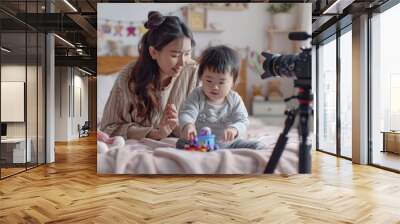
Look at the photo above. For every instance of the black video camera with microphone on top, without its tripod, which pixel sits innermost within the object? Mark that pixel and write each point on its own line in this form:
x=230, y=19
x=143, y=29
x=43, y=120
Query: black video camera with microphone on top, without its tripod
x=298, y=66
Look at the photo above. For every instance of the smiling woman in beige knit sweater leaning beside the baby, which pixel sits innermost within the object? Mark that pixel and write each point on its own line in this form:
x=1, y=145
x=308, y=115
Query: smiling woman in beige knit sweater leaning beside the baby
x=148, y=93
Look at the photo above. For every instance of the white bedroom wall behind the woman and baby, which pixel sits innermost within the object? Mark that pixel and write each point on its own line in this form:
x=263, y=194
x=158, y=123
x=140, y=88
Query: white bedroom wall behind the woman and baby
x=241, y=29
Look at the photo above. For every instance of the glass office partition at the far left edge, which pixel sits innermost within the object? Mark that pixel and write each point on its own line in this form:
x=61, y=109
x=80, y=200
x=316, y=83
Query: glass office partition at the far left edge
x=22, y=64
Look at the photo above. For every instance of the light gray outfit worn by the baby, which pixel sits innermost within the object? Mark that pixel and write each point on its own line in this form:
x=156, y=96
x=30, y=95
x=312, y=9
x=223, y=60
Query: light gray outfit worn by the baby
x=232, y=113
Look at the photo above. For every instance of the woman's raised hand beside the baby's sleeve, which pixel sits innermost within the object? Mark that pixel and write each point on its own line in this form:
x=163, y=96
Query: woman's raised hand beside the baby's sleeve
x=169, y=121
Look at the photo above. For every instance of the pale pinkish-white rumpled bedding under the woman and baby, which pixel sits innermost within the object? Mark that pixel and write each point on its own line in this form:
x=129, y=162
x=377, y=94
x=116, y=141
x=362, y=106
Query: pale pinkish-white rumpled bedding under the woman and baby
x=148, y=156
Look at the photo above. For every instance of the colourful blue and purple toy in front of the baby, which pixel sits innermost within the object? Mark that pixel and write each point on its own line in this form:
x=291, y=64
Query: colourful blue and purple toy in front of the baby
x=204, y=142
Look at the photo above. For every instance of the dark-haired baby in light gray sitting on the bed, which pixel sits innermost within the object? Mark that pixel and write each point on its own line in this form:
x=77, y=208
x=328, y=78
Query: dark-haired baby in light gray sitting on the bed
x=215, y=104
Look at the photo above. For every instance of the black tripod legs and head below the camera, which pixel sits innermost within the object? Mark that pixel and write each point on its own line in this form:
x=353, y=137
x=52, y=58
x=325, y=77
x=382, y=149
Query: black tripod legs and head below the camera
x=304, y=97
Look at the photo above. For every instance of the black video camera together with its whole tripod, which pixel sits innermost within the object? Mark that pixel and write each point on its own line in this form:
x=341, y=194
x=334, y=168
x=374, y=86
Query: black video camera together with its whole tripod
x=298, y=66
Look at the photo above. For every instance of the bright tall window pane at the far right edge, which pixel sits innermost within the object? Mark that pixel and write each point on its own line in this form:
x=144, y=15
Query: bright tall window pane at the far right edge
x=385, y=84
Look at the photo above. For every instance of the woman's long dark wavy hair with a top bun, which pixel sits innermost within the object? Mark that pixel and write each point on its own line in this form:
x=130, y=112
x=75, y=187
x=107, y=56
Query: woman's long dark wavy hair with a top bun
x=145, y=73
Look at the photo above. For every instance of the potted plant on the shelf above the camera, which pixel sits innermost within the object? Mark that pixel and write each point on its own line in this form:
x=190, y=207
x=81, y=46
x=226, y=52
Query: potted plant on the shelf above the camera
x=281, y=15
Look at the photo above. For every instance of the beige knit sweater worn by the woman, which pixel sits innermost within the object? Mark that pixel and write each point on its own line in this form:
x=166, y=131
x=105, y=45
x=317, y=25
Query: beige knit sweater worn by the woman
x=118, y=121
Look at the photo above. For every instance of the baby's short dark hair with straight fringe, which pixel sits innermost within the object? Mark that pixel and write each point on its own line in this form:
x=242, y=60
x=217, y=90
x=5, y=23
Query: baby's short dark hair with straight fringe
x=220, y=59
